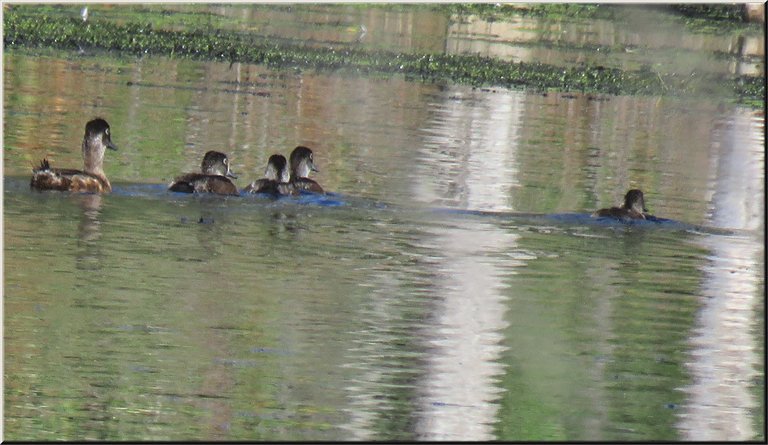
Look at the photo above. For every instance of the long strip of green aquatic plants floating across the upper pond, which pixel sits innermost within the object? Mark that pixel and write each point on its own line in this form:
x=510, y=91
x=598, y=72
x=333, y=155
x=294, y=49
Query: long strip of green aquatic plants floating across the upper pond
x=41, y=30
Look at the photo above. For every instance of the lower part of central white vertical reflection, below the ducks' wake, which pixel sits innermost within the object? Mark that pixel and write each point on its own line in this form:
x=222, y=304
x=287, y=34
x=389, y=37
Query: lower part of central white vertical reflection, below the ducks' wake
x=460, y=391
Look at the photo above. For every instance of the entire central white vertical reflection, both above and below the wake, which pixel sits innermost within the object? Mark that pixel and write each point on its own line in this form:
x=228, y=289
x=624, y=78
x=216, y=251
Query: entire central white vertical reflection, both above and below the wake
x=467, y=161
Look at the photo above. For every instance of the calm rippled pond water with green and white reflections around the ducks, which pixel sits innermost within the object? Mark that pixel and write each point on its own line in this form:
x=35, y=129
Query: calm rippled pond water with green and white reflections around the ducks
x=451, y=287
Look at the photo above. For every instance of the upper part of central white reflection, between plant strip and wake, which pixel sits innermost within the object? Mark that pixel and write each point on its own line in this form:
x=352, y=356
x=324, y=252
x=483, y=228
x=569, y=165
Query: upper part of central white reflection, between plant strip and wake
x=467, y=159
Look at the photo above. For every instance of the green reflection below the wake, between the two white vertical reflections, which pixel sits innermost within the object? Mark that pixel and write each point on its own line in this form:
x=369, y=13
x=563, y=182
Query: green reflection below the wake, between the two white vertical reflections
x=602, y=359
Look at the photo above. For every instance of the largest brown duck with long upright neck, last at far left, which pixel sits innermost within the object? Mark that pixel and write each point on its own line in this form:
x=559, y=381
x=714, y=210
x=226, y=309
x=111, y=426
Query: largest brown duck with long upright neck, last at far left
x=91, y=178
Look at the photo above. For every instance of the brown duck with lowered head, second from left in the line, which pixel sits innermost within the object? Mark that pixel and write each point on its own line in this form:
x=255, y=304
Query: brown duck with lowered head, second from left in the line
x=213, y=179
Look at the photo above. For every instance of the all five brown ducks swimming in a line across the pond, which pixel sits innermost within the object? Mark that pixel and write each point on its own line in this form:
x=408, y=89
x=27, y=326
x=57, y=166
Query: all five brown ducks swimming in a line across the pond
x=278, y=178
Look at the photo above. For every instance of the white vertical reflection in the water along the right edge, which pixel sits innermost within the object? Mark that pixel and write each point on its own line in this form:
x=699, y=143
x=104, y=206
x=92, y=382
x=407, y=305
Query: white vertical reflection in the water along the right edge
x=724, y=349
